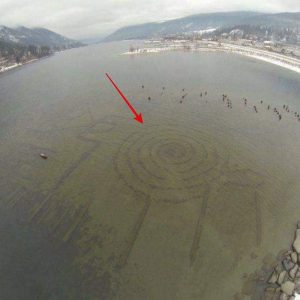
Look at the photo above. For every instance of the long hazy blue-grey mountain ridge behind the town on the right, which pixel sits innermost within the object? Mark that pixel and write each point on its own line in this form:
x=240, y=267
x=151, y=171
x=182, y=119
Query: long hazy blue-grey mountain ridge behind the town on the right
x=205, y=21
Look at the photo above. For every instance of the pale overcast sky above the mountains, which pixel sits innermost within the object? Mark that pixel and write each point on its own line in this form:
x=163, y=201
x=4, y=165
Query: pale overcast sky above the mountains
x=82, y=19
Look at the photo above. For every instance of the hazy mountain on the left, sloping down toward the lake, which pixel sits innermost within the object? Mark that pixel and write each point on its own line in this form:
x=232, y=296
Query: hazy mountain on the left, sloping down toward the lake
x=36, y=37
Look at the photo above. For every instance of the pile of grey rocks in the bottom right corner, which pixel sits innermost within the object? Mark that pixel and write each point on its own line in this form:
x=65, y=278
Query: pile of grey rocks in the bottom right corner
x=284, y=282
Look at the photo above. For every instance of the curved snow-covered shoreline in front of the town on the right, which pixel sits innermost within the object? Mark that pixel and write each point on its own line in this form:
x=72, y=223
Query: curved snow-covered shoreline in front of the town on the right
x=274, y=58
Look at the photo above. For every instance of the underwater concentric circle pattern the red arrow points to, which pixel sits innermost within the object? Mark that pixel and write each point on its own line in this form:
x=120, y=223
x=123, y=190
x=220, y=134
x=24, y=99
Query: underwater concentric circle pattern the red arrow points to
x=169, y=164
